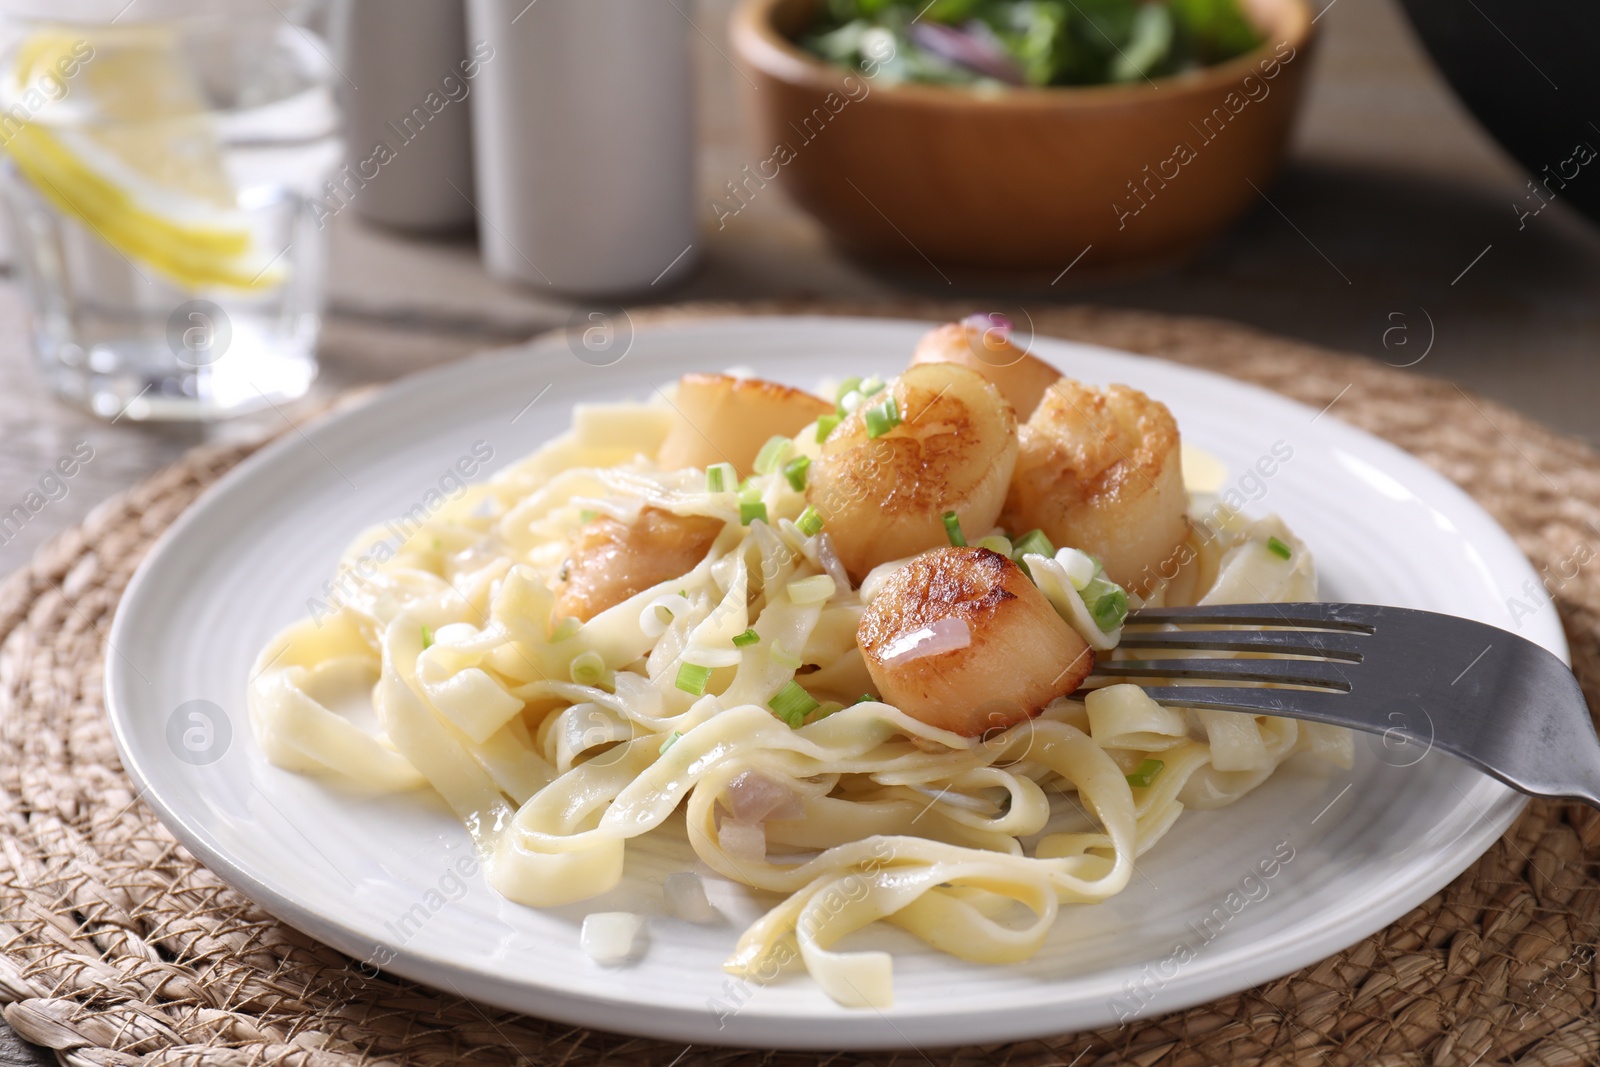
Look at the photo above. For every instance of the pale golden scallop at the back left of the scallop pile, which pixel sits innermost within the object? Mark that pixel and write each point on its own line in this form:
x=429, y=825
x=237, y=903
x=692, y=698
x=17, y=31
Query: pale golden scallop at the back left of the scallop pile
x=727, y=420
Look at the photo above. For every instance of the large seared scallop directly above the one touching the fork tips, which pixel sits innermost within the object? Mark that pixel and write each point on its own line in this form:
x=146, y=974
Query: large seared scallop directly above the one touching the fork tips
x=953, y=452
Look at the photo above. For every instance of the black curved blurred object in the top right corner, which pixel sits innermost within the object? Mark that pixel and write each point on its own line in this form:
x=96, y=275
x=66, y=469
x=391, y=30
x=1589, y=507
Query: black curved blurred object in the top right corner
x=1527, y=71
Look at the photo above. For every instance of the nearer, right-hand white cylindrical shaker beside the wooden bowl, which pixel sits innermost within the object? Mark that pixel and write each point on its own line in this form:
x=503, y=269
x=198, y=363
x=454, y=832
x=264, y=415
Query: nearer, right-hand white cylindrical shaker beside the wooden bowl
x=585, y=143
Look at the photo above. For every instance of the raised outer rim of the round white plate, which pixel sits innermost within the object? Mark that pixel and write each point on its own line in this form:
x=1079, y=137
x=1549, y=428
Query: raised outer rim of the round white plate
x=788, y=1031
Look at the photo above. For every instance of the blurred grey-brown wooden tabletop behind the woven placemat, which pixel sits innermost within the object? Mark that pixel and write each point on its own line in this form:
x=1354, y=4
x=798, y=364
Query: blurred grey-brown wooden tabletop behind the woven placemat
x=1398, y=231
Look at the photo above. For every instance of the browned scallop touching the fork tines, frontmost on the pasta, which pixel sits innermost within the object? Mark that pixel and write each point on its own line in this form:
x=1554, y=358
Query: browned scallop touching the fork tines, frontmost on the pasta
x=962, y=641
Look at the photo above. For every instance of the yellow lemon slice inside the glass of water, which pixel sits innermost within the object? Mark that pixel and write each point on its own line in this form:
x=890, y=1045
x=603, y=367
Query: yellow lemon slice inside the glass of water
x=143, y=167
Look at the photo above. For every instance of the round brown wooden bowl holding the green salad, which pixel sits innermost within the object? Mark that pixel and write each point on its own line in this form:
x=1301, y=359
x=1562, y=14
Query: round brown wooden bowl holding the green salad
x=1020, y=180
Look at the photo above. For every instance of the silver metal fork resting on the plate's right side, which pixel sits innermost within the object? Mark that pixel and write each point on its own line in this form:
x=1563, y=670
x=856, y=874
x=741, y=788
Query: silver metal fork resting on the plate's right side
x=1476, y=692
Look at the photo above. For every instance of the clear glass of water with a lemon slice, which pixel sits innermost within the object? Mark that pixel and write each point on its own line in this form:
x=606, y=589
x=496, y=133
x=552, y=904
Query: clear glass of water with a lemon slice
x=156, y=178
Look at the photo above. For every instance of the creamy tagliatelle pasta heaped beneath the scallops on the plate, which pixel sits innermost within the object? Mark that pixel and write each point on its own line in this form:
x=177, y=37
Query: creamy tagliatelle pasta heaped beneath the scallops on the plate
x=734, y=690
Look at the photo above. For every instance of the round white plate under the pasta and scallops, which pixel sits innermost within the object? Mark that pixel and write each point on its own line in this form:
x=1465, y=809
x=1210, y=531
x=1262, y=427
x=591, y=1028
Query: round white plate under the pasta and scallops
x=378, y=873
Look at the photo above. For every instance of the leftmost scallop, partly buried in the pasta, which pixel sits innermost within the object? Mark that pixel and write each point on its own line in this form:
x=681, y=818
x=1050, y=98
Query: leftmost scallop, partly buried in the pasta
x=614, y=561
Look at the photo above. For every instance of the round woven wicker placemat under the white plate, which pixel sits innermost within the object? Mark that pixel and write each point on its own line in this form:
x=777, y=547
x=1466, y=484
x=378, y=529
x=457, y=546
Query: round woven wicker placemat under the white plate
x=119, y=949
